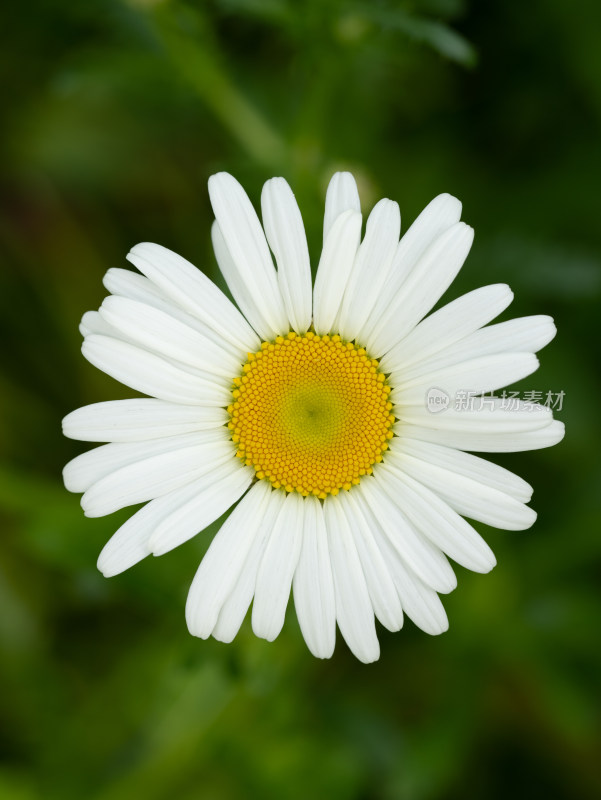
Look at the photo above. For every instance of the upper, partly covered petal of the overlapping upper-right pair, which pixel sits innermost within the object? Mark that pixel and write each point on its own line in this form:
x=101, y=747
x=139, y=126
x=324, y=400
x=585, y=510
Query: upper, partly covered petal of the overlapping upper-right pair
x=439, y=215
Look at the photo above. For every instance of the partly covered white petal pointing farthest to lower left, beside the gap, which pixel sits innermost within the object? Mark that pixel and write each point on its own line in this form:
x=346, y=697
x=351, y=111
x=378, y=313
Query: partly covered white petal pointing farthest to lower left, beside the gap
x=130, y=542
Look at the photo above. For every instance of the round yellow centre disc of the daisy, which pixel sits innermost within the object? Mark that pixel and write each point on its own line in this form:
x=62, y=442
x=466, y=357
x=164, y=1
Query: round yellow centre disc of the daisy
x=311, y=413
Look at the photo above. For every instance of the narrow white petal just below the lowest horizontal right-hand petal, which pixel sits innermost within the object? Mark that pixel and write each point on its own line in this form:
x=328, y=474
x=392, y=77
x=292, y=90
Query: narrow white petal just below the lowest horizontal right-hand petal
x=460, y=463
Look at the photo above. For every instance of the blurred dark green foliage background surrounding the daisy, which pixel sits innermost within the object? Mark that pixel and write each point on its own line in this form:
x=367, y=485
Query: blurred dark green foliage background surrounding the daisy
x=114, y=114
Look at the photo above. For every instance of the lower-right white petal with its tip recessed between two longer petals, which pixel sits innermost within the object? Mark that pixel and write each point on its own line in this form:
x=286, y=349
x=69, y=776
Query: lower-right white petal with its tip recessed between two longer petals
x=425, y=560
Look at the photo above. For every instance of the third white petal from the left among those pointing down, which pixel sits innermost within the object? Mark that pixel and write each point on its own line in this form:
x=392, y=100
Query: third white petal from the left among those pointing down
x=277, y=568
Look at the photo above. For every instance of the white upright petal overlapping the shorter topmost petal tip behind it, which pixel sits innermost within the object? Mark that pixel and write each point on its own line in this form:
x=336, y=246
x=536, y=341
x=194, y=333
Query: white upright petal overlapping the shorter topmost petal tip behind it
x=338, y=255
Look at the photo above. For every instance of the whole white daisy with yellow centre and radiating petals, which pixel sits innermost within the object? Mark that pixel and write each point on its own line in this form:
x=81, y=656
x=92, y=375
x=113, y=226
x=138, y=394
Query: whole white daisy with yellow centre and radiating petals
x=306, y=411
